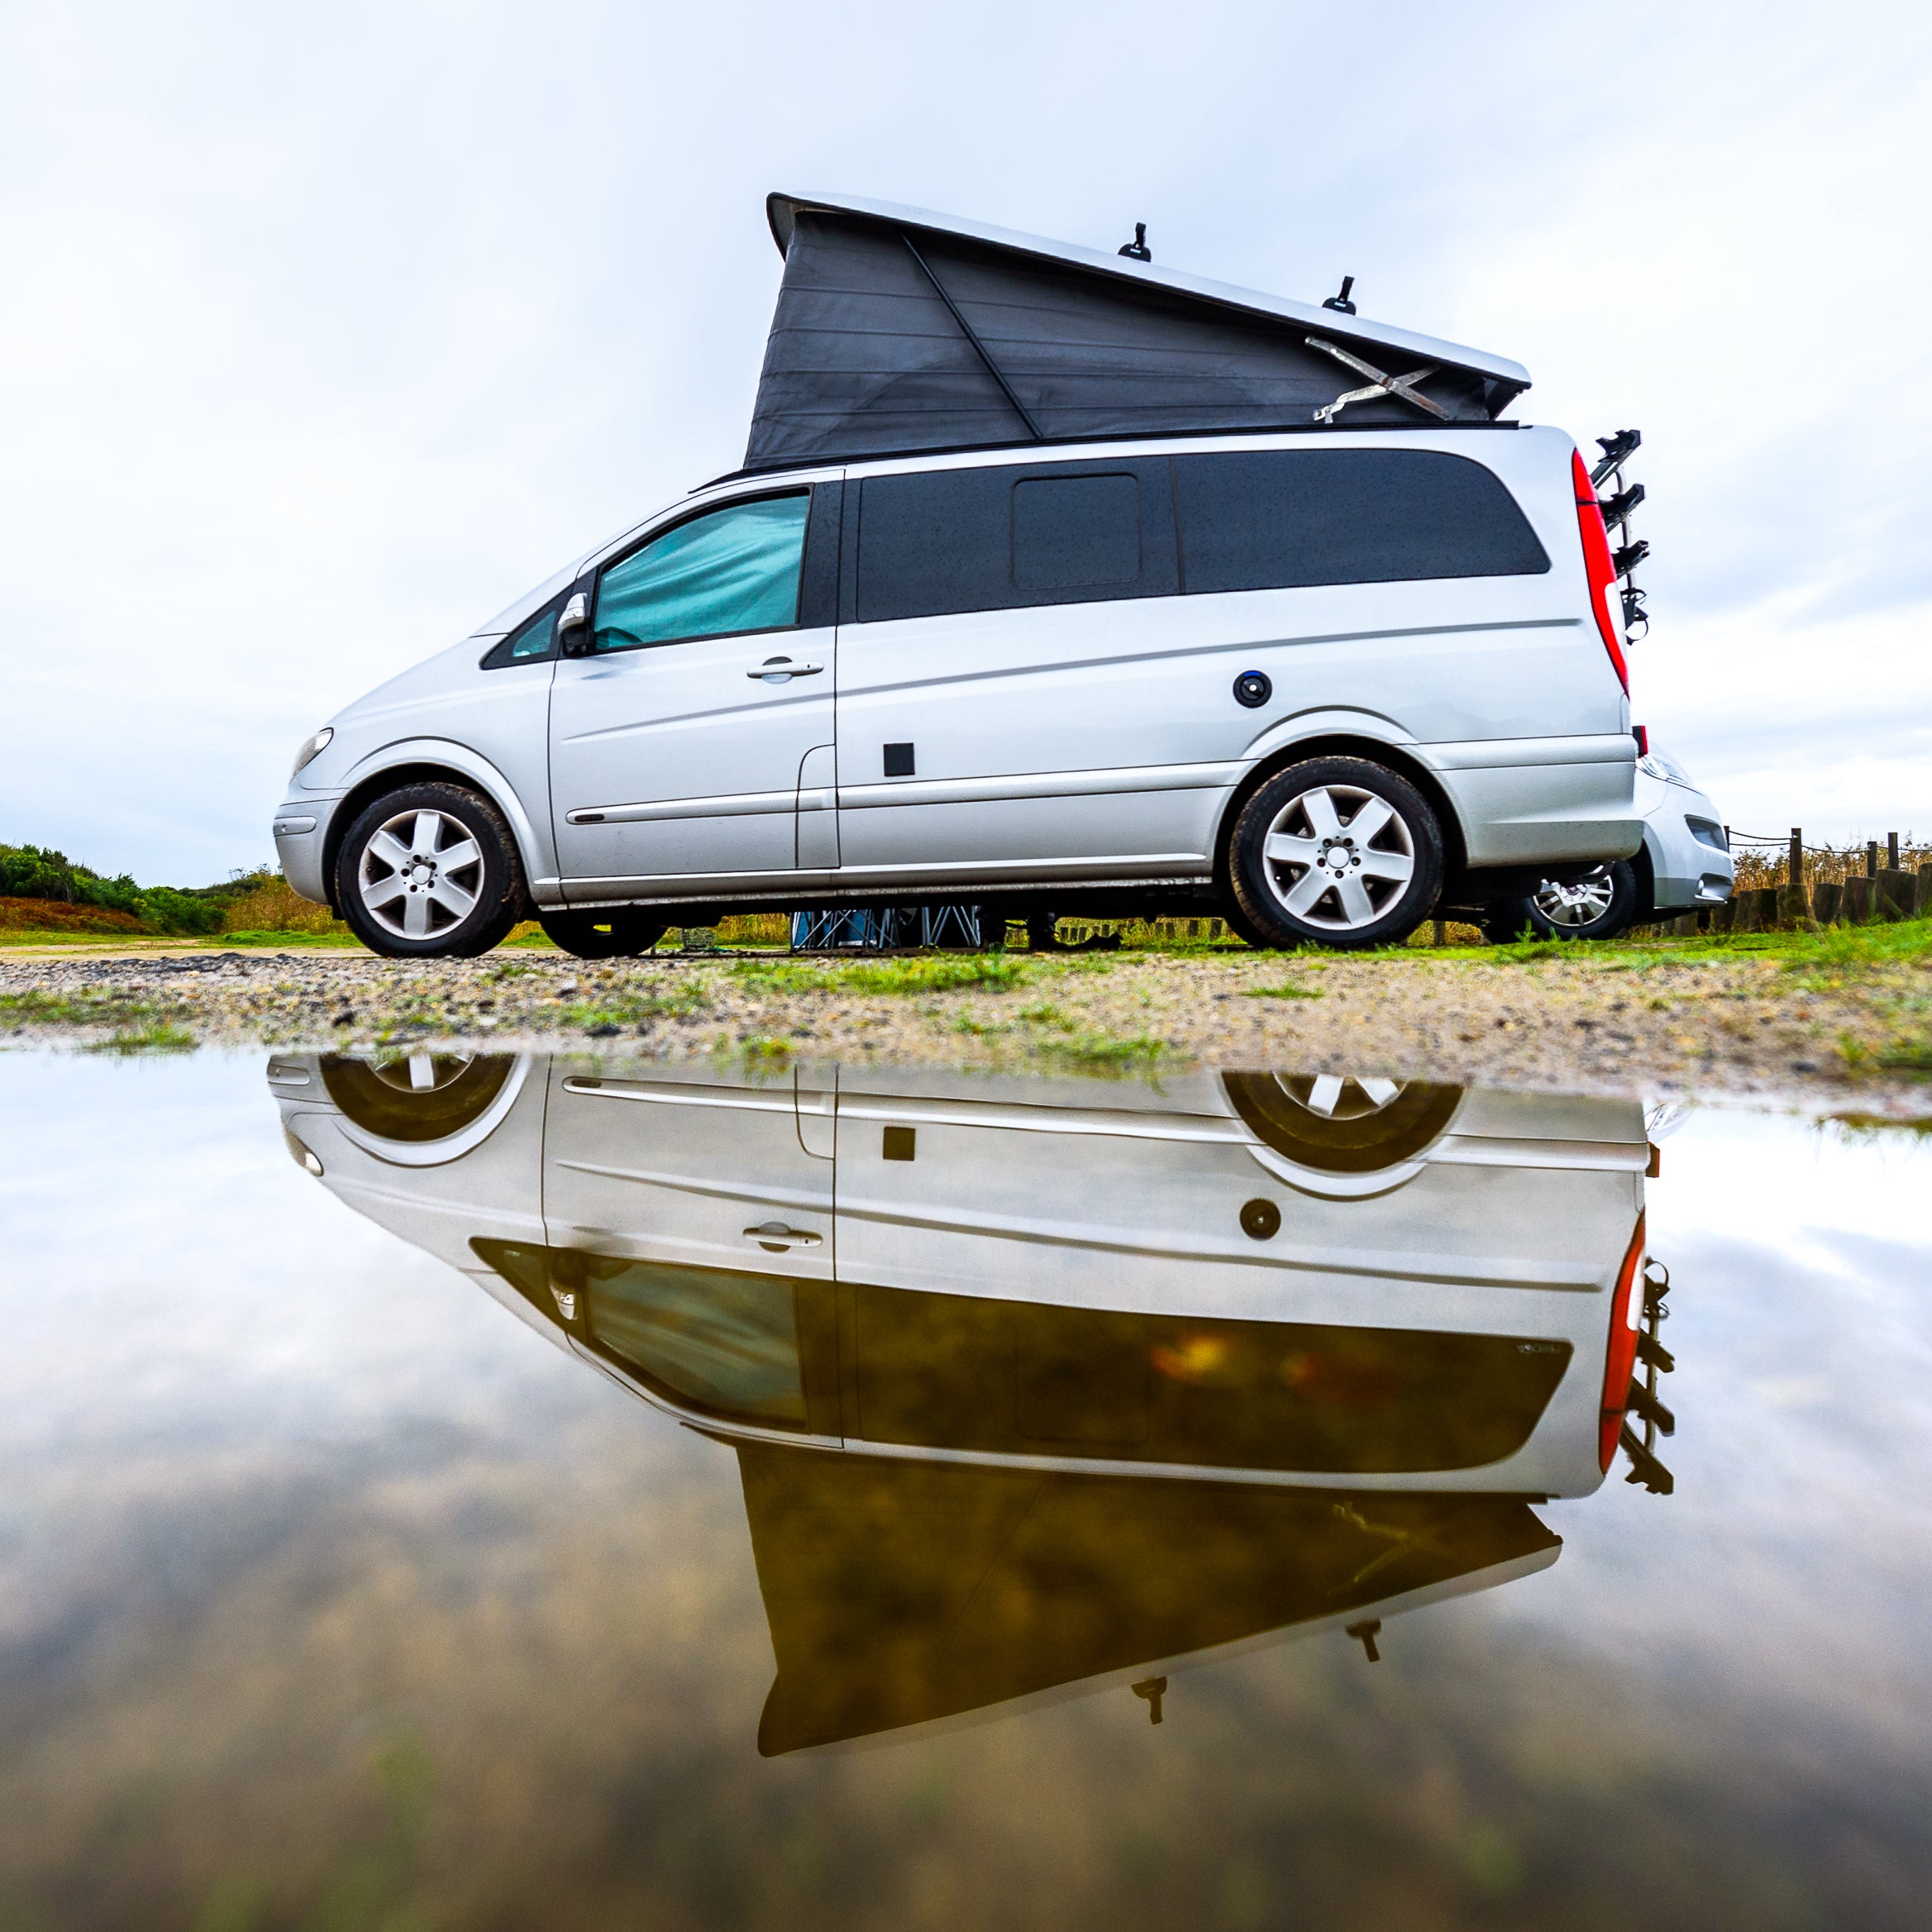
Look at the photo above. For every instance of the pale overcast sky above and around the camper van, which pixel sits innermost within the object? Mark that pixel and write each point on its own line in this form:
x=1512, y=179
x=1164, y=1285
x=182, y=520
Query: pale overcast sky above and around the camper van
x=326, y=333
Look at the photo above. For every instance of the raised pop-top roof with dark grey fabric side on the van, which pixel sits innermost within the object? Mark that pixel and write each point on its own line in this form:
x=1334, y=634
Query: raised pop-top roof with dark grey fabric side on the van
x=899, y=329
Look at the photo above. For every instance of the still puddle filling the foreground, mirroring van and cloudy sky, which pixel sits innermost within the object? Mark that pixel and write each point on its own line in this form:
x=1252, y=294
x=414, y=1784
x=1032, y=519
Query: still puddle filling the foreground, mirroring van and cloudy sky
x=581, y=1492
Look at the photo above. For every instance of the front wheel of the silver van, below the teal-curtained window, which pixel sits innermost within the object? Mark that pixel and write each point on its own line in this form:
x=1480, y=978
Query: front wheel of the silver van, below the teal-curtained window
x=430, y=872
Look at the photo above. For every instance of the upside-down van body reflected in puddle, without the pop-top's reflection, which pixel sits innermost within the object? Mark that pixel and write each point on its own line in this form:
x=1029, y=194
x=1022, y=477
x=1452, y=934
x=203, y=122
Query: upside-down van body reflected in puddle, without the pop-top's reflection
x=1375, y=1284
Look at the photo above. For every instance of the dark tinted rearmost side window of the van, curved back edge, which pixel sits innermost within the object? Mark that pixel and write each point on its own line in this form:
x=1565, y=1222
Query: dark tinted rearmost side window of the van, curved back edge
x=1257, y=521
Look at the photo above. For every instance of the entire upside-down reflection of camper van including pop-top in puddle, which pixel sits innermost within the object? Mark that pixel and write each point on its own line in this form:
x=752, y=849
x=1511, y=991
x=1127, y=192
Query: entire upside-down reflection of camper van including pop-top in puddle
x=1353, y=1328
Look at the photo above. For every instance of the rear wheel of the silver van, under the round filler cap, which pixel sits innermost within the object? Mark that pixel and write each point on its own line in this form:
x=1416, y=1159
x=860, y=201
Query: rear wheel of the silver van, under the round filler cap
x=1336, y=851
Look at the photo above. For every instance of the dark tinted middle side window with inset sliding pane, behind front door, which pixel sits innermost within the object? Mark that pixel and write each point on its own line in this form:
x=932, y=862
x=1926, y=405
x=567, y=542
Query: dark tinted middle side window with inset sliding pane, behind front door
x=944, y=542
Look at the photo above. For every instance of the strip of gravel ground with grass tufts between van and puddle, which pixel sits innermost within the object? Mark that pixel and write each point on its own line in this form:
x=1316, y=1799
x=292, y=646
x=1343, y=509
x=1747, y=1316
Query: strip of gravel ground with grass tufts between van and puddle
x=1589, y=1019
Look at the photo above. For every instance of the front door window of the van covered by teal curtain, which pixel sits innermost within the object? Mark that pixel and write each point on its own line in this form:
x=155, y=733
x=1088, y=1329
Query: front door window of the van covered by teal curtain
x=724, y=573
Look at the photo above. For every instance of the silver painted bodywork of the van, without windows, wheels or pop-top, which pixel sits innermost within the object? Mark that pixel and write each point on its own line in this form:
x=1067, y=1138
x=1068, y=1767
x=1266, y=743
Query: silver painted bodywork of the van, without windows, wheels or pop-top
x=1054, y=745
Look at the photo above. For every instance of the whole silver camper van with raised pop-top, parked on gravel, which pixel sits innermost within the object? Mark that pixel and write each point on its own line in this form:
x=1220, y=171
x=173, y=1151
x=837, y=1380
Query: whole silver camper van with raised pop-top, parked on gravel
x=1050, y=579
